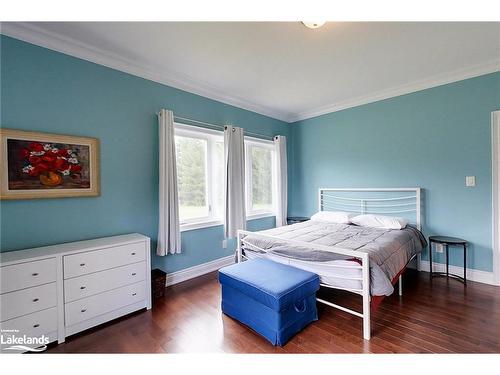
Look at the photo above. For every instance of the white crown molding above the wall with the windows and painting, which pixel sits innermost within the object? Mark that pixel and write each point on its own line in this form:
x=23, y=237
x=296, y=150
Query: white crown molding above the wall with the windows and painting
x=36, y=35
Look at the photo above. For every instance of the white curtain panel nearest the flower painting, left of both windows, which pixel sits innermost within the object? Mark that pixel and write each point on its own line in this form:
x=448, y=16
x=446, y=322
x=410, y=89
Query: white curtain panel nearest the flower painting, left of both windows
x=169, y=236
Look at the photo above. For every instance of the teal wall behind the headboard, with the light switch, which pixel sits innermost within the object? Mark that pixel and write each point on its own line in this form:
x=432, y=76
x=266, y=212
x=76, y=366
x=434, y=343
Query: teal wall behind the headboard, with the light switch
x=431, y=138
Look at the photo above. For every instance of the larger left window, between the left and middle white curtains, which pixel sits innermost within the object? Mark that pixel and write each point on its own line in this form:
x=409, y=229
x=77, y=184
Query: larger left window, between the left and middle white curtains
x=200, y=168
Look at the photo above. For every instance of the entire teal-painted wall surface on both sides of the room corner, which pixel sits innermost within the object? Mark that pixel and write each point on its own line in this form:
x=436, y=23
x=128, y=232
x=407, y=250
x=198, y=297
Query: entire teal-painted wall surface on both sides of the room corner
x=432, y=139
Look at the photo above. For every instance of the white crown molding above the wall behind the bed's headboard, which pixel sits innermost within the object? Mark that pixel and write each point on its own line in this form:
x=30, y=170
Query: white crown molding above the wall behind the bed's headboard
x=438, y=80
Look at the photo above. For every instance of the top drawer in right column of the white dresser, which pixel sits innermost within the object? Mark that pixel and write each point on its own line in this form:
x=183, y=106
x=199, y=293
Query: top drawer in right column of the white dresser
x=100, y=260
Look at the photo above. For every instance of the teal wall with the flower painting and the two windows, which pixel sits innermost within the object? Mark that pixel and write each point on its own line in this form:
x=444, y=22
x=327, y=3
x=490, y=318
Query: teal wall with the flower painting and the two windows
x=42, y=90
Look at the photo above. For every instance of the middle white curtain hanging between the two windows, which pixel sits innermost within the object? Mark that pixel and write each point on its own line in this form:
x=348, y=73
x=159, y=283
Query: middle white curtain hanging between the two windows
x=234, y=181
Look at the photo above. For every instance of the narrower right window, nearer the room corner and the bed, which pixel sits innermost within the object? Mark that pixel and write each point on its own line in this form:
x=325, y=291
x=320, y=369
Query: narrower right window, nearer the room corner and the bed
x=260, y=177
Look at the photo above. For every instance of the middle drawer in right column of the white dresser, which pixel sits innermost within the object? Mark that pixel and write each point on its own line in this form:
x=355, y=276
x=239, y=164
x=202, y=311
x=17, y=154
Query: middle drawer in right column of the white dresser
x=95, y=283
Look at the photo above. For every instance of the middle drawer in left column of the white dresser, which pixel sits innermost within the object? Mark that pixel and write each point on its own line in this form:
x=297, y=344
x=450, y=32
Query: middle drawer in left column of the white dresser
x=27, y=301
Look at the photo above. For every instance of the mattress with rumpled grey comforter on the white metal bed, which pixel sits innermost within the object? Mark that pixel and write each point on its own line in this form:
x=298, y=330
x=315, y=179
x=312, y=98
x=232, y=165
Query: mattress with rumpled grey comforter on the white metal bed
x=389, y=252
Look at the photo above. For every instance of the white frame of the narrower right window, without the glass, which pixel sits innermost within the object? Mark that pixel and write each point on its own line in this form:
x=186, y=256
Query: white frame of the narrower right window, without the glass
x=257, y=142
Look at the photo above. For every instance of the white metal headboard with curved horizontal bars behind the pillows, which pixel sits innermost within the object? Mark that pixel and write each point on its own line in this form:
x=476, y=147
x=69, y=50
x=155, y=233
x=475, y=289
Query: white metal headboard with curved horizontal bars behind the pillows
x=395, y=202
